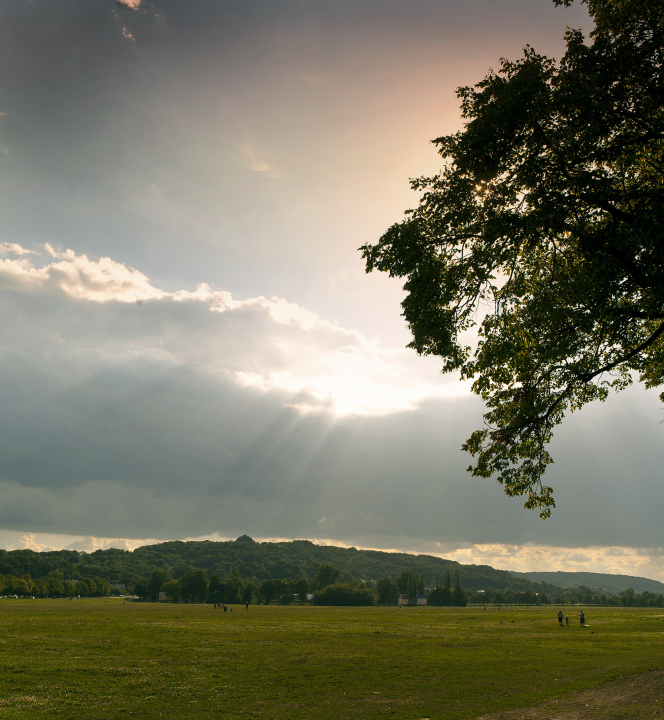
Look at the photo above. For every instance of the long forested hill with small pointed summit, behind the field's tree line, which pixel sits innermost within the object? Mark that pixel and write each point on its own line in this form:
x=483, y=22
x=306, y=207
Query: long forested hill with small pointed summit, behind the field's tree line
x=253, y=560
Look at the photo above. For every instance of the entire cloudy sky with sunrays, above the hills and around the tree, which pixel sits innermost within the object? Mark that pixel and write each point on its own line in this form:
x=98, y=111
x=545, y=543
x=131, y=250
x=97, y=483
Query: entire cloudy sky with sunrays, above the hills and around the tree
x=190, y=346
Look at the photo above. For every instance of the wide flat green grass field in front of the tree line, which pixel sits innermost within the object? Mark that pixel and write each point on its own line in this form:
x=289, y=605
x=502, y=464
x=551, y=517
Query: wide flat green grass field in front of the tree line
x=89, y=659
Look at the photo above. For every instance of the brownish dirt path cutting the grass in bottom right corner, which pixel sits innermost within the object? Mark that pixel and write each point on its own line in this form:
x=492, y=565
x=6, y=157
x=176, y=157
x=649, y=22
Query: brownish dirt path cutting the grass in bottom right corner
x=637, y=697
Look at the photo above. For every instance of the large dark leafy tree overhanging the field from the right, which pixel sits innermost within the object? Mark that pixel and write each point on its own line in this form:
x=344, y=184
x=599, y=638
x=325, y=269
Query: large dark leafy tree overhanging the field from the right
x=545, y=227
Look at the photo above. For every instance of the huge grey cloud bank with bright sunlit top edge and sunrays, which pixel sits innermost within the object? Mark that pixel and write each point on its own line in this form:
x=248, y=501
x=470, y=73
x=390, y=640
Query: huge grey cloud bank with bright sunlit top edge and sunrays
x=130, y=411
